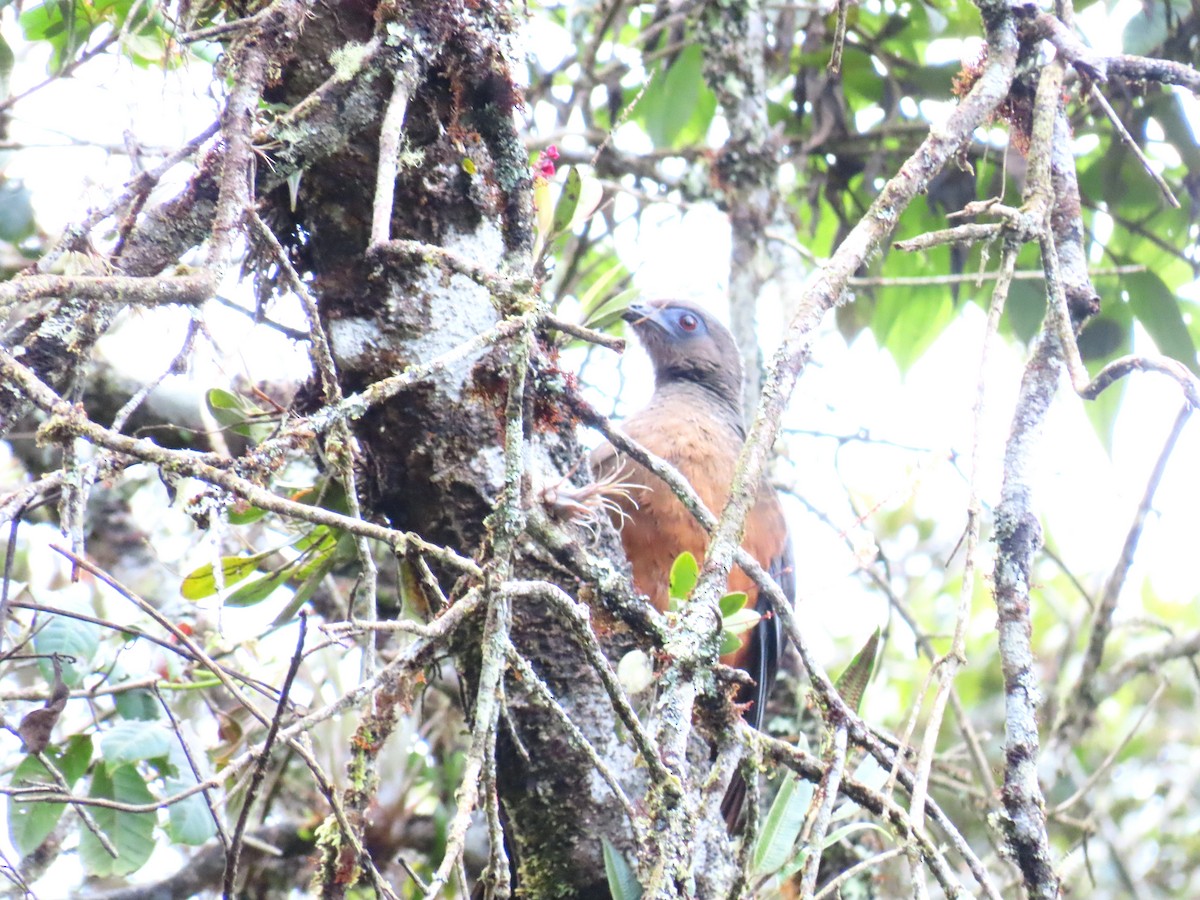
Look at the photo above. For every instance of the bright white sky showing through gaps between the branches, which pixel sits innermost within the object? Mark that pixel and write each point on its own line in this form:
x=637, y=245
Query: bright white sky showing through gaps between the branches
x=1085, y=497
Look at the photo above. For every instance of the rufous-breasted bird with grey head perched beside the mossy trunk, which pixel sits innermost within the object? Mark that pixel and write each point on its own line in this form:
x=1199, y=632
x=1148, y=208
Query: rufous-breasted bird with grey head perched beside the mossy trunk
x=695, y=421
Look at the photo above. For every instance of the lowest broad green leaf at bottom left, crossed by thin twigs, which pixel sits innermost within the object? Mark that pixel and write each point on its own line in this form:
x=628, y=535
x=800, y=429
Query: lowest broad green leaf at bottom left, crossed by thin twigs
x=131, y=833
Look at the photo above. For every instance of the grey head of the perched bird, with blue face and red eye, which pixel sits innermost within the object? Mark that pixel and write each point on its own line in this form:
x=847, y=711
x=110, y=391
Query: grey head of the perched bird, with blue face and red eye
x=689, y=346
